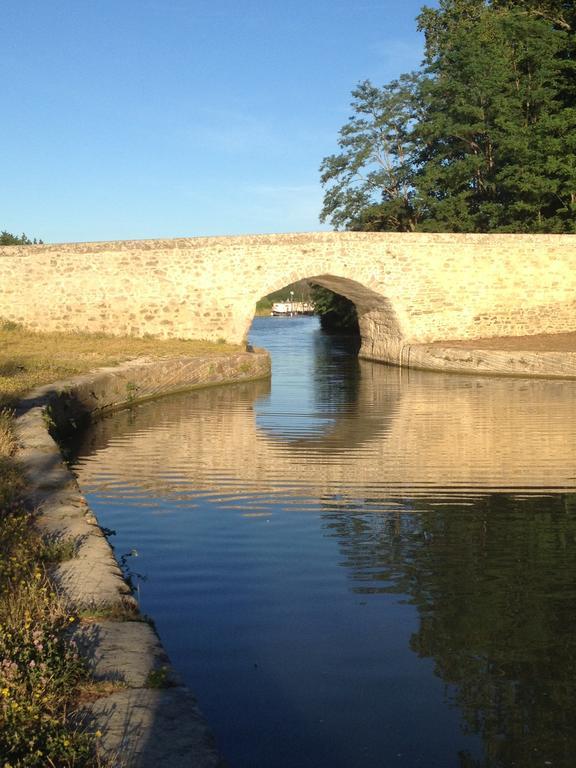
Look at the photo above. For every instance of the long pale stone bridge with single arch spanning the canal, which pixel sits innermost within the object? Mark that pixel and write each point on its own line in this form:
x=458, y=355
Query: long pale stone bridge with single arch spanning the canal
x=409, y=288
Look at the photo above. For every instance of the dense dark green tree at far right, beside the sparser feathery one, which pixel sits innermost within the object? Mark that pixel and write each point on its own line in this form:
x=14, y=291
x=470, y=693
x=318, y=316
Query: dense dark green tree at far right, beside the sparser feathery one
x=497, y=143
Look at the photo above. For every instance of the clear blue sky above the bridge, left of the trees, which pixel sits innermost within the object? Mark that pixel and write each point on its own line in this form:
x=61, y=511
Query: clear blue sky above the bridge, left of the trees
x=167, y=118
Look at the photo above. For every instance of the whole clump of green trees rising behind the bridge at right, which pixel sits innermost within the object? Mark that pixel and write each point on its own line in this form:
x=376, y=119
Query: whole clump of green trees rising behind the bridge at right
x=481, y=139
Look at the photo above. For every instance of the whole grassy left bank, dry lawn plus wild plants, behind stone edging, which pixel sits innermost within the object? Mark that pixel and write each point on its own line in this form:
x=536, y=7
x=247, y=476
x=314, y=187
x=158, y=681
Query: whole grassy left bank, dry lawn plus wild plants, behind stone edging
x=42, y=678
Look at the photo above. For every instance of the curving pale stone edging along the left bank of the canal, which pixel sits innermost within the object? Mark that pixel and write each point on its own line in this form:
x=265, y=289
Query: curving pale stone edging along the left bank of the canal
x=150, y=718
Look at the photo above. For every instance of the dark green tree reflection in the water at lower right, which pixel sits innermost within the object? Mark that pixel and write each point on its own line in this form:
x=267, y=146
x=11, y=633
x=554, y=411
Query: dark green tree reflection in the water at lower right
x=488, y=577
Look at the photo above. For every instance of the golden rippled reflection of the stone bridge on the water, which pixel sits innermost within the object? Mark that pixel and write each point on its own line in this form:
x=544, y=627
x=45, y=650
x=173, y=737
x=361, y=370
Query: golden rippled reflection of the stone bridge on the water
x=403, y=432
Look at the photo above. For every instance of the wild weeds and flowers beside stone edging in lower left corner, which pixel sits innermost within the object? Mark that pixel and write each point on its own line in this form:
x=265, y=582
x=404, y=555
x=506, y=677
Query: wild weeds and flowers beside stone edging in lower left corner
x=39, y=668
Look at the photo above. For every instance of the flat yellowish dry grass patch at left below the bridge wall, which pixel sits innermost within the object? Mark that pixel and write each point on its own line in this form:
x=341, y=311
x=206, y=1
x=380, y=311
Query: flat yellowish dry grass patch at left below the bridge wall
x=28, y=359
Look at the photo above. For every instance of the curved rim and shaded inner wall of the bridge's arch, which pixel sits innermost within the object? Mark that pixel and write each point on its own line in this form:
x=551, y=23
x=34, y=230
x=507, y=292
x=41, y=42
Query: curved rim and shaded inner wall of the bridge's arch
x=380, y=326
